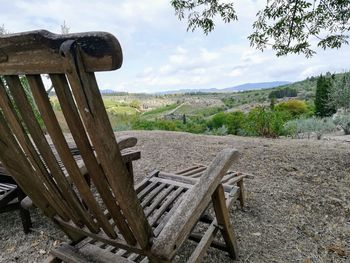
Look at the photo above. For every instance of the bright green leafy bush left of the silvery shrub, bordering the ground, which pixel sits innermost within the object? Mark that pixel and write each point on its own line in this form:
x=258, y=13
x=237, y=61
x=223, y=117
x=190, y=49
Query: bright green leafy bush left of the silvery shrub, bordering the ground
x=265, y=122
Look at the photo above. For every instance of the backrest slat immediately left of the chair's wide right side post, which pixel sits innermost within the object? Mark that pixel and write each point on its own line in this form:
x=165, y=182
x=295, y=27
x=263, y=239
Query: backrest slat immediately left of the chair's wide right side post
x=76, y=127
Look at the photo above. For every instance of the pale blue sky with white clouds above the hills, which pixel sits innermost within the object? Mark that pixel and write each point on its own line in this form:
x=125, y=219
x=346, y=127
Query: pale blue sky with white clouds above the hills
x=159, y=53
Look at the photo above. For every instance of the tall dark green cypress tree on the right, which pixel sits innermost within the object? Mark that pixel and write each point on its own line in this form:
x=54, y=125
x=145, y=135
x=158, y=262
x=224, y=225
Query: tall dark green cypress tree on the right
x=324, y=86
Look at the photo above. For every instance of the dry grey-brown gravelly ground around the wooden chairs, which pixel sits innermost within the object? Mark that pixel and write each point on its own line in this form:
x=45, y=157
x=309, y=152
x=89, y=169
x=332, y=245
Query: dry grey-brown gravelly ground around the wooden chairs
x=298, y=204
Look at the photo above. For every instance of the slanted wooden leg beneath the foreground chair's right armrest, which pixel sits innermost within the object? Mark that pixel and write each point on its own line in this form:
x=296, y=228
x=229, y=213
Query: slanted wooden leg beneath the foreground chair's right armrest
x=222, y=217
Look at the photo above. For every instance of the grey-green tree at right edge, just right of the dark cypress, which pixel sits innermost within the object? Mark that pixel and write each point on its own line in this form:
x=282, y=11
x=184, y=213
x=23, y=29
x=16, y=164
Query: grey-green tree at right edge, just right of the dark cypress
x=339, y=96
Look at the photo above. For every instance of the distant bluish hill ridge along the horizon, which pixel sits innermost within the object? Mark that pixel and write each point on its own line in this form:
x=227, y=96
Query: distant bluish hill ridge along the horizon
x=243, y=87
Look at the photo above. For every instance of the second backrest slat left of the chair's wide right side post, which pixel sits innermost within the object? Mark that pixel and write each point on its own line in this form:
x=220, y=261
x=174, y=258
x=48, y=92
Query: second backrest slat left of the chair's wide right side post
x=53, y=127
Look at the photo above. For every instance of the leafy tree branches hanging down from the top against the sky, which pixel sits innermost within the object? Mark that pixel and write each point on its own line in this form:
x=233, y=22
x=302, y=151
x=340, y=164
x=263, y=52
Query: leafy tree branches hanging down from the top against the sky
x=288, y=26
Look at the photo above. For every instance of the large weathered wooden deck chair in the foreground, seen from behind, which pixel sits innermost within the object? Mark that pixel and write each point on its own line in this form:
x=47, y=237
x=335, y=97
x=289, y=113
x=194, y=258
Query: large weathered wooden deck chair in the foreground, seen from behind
x=112, y=220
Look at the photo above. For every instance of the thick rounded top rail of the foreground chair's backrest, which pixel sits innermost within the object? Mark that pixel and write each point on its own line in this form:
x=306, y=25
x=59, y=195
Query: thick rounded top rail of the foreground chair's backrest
x=38, y=52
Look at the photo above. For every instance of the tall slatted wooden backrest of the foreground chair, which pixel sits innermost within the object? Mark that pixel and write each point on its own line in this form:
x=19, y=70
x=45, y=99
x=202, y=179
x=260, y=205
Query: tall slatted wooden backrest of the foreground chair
x=70, y=62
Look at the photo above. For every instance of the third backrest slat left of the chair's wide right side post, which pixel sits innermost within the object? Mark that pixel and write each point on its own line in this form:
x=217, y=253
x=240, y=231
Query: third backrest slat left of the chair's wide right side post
x=62, y=188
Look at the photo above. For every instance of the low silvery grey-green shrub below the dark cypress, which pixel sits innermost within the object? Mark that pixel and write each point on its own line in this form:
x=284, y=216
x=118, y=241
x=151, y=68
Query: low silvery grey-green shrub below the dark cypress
x=300, y=128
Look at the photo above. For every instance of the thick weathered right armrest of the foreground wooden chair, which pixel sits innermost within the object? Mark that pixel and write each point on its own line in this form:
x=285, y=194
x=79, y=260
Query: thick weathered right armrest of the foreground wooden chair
x=194, y=202
